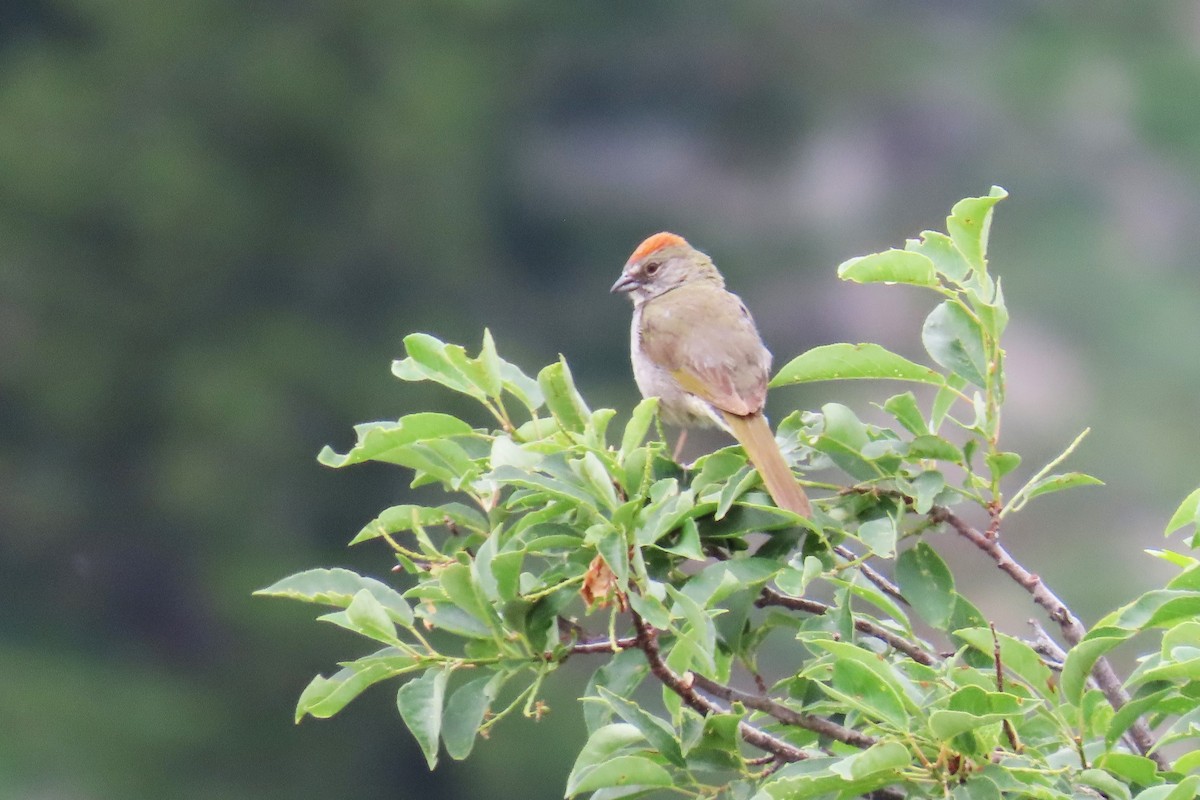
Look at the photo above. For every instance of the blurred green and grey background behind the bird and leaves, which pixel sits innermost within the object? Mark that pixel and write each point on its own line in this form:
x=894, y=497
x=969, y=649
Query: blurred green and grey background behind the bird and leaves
x=218, y=221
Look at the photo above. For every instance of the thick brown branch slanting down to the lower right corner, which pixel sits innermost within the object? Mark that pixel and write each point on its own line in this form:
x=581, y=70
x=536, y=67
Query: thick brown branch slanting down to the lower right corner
x=1073, y=631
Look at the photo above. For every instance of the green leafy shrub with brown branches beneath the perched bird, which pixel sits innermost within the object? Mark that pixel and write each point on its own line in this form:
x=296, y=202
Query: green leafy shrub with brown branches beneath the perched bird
x=743, y=651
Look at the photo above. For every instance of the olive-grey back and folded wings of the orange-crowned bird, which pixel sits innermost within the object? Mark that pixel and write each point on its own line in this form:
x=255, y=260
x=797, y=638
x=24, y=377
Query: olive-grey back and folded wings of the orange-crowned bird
x=706, y=339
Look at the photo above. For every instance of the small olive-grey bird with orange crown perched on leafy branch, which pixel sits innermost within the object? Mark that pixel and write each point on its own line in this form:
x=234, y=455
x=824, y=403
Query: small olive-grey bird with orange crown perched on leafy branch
x=697, y=348
